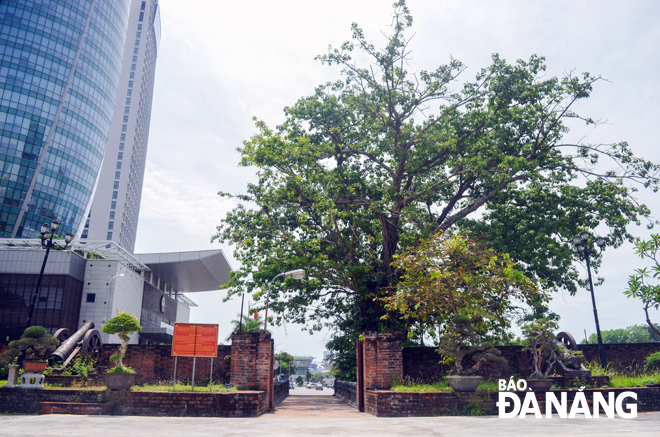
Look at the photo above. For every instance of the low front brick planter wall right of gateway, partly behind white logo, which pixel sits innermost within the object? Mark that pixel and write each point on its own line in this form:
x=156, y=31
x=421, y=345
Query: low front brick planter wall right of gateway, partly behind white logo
x=384, y=403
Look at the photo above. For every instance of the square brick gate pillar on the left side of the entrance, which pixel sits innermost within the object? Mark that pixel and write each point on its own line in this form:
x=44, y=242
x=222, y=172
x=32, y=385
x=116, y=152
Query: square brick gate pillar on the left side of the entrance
x=252, y=362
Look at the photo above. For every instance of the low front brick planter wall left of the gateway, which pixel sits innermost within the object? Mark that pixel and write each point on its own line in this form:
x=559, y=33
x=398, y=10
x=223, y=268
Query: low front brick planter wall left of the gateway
x=140, y=403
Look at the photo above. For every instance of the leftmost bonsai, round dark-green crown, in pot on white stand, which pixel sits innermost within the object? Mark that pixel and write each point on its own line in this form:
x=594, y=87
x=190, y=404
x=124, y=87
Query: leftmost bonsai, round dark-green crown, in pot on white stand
x=32, y=349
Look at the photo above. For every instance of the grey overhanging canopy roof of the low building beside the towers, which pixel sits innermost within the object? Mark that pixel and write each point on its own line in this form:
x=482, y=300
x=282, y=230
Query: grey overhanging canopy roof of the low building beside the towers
x=202, y=270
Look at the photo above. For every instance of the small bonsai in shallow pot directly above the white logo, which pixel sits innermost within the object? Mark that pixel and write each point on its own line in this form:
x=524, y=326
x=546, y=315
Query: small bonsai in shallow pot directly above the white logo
x=544, y=349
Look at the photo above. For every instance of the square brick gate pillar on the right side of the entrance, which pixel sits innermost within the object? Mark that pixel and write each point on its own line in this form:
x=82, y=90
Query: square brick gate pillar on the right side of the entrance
x=382, y=356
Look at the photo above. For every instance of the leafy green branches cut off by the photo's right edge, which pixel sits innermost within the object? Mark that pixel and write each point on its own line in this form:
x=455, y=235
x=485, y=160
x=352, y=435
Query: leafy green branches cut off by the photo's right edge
x=638, y=285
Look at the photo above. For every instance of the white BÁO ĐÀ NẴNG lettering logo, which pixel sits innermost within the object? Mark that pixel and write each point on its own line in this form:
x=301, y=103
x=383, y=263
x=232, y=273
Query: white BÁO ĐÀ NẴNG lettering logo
x=511, y=405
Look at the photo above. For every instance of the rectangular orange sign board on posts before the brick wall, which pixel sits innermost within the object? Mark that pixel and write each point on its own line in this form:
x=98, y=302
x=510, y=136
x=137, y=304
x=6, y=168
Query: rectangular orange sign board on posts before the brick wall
x=195, y=340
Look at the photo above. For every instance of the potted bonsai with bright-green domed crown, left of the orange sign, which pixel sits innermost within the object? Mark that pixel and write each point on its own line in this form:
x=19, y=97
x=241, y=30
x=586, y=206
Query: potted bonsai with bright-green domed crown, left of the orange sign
x=120, y=376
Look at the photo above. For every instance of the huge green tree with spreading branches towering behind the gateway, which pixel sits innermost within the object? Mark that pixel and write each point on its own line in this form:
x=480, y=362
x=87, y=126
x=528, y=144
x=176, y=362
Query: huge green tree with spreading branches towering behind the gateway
x=371, y=163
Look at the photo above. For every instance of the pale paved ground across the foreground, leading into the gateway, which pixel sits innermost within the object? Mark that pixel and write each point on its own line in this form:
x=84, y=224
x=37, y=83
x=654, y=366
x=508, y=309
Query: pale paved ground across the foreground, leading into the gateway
x=308, y=412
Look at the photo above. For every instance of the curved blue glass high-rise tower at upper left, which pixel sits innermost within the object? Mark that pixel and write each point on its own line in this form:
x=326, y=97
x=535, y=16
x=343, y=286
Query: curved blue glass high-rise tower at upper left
x=60, y=63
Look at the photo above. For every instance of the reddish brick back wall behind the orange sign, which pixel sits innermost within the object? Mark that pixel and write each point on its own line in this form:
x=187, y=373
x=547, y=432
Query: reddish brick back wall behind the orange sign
x=154, y=363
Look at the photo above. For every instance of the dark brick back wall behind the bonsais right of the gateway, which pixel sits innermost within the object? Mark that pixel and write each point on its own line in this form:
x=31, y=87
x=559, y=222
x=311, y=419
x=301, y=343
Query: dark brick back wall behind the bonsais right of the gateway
x=422, y=363
